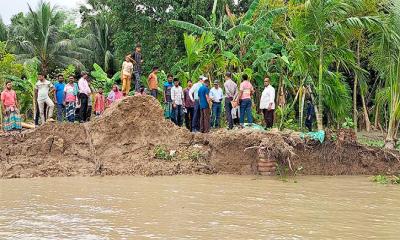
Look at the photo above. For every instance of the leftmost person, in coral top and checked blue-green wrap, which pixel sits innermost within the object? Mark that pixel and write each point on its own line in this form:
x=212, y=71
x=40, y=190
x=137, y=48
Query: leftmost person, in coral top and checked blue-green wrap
x=9, y=103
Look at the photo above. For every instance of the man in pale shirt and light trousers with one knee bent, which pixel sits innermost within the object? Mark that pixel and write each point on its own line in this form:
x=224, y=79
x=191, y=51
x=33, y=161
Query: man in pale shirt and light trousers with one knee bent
x=42, y=90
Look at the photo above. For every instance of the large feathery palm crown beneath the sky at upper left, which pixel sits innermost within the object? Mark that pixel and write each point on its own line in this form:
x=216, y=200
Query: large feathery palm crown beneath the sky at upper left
x=37, y=36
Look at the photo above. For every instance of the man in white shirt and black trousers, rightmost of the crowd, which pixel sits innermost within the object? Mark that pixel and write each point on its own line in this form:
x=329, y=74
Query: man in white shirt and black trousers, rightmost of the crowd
x=267, y=103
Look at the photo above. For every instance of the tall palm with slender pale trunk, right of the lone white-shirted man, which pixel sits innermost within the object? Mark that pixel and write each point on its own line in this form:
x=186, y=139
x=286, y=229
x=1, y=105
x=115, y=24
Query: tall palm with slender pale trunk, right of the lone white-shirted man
x=324, y=26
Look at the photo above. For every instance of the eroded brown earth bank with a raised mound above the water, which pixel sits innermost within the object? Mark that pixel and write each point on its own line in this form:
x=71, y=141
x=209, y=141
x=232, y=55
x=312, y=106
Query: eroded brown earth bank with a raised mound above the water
x=133, y=138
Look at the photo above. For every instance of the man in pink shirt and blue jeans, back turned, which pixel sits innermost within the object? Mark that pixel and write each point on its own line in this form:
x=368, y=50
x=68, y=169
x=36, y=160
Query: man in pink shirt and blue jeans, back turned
x=245, y=94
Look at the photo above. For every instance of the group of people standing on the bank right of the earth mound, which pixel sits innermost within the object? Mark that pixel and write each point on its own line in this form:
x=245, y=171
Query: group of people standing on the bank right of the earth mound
x=201, y=104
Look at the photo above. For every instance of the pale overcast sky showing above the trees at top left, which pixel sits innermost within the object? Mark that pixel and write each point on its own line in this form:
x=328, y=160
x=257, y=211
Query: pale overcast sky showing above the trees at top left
x=8, y=8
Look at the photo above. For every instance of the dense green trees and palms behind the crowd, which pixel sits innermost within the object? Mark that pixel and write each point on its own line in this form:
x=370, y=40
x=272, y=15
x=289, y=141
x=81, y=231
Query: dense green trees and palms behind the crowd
x=344, y=55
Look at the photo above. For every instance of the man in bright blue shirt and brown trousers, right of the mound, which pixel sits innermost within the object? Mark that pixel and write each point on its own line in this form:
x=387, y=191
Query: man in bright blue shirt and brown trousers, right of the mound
x=204, y=100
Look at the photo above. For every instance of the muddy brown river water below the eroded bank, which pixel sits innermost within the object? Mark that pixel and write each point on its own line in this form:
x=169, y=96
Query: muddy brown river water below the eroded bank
x=198, y=207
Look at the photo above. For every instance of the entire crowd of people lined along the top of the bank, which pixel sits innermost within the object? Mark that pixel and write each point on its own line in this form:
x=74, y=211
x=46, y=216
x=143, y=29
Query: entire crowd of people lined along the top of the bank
x=199, y=106
